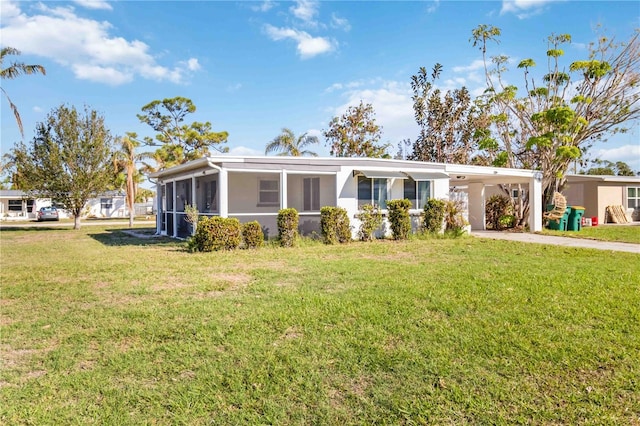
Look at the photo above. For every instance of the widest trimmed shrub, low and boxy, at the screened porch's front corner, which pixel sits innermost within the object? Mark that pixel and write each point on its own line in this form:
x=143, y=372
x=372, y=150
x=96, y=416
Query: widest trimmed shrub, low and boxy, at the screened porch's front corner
x=216, y=233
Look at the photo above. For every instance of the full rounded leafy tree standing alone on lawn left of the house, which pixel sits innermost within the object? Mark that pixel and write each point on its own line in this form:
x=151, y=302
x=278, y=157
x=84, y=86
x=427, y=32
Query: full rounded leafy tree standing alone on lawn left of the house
x=69, y=160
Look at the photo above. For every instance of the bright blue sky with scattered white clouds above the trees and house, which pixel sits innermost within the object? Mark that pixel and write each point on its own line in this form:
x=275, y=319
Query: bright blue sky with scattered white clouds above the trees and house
x=252, y=68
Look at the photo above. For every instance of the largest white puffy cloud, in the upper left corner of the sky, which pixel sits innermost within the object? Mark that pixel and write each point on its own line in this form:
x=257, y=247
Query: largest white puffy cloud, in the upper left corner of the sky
x=85, y=46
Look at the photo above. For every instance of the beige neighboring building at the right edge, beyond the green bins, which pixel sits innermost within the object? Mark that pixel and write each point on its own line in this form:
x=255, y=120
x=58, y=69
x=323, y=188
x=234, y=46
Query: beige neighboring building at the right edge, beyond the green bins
x=595, y=193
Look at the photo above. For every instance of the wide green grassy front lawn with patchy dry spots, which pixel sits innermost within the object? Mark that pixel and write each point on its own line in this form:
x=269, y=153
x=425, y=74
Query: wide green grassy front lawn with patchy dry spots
x=99, y=327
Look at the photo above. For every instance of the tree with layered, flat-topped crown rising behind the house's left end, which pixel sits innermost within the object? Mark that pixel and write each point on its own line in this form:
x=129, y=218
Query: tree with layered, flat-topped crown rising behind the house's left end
x=177, y=142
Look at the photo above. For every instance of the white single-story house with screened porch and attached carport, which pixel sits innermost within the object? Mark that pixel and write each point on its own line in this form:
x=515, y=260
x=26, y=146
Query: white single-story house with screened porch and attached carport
x=256, y=188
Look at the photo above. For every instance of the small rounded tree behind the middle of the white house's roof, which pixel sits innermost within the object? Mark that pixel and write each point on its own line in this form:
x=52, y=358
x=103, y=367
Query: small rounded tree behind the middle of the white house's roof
x=356, y=134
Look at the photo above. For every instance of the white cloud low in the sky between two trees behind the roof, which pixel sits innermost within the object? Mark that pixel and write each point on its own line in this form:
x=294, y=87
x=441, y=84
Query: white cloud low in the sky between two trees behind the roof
x=391, y=101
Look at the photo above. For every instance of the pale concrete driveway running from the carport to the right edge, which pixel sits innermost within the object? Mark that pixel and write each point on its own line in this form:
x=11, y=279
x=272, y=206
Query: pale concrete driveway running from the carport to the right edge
x=527, y=237
